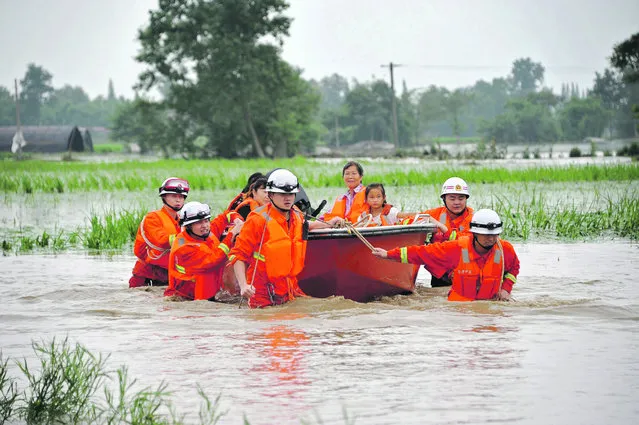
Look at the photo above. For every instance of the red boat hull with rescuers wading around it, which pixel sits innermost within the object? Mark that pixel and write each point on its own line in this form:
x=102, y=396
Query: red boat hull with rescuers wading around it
x=338, y=263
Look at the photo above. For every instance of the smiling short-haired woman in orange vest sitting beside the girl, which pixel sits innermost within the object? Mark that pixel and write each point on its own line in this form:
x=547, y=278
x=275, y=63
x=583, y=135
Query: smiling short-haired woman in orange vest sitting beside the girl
x=350, y=205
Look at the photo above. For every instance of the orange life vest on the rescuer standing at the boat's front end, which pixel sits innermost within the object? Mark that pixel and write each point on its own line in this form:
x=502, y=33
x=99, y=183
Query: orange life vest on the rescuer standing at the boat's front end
x=282, y=254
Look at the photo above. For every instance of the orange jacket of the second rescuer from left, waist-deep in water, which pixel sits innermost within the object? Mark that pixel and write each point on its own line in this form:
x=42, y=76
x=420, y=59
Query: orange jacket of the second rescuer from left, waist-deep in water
x=196, y=266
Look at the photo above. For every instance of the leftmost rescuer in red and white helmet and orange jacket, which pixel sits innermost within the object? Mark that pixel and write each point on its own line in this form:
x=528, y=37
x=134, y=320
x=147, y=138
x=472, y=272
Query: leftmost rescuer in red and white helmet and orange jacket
x=155, y=235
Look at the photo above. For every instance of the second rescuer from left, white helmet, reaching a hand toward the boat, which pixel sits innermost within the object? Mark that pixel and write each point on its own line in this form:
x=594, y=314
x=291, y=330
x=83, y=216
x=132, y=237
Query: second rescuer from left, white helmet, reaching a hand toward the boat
x=197, y=258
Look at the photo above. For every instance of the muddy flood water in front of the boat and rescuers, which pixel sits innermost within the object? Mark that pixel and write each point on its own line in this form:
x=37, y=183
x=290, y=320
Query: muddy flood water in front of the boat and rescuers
x=564, y=353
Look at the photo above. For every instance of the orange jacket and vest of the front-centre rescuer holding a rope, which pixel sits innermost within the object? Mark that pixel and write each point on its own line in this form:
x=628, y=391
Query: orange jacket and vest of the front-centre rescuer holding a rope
x=274, y=250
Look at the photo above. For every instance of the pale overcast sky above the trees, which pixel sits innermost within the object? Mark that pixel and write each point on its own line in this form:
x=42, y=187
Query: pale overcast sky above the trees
x=451, y=43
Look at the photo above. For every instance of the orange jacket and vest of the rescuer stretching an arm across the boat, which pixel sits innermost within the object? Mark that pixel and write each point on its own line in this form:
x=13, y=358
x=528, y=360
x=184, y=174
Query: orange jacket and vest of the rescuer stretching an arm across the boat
x=474, y=276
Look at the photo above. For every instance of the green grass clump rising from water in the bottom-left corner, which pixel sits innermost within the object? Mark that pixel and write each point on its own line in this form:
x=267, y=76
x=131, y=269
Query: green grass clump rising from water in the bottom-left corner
x=73, y=386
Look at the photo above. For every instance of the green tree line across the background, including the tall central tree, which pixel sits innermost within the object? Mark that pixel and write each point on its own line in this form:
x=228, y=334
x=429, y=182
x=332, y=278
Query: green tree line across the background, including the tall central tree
x=215, y=84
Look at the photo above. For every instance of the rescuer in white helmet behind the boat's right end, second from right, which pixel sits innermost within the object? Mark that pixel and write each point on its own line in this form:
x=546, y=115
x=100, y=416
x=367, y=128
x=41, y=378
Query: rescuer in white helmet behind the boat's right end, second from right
x=455, y=215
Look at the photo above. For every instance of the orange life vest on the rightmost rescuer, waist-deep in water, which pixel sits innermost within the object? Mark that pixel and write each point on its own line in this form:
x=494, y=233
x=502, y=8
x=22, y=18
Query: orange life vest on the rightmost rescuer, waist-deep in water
x=472, y=282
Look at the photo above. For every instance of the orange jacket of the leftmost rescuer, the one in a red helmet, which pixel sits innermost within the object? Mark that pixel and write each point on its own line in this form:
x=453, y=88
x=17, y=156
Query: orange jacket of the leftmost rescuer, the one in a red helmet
x=155, y=234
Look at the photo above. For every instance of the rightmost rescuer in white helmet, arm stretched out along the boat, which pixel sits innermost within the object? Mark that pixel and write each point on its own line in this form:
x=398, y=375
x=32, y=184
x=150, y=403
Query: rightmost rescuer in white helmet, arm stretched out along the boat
x=480, y=266
